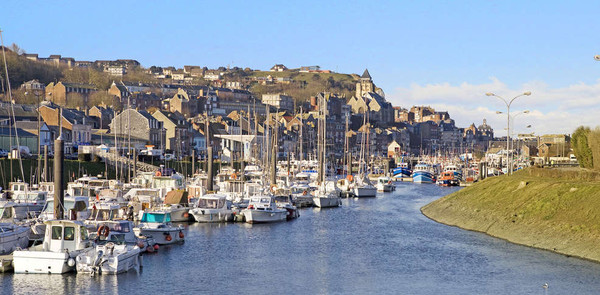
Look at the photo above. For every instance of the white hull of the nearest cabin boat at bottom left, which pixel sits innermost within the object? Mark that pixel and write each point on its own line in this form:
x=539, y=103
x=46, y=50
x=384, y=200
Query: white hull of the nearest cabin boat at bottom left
x=43, y=262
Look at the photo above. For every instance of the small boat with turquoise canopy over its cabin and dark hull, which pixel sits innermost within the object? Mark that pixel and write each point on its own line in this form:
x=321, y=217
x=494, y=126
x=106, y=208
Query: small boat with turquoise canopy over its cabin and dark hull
x=157, y=225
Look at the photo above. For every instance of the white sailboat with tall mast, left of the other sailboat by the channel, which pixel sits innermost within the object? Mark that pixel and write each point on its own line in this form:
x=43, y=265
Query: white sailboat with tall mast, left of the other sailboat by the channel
x=327, y=195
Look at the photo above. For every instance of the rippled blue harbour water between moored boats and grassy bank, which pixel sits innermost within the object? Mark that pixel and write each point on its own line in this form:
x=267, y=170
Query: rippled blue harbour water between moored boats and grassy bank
x=382, y=245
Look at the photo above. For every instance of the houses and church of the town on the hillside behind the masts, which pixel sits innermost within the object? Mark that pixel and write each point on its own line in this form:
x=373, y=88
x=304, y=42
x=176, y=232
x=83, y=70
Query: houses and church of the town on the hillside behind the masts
x=171, y=115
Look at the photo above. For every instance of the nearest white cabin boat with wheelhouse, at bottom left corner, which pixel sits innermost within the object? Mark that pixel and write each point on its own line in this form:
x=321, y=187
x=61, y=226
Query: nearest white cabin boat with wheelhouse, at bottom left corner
x=64, y=240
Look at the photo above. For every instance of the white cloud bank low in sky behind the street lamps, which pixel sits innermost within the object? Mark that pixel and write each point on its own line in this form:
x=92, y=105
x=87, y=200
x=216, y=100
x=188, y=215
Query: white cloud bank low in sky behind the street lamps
x=552, y=110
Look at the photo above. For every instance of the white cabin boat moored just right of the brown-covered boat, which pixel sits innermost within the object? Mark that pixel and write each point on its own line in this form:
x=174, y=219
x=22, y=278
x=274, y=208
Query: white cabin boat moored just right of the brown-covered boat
x=212, y=208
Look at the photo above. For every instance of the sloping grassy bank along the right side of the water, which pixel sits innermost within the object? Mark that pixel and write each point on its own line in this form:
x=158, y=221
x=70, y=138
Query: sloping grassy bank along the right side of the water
x=552, y=209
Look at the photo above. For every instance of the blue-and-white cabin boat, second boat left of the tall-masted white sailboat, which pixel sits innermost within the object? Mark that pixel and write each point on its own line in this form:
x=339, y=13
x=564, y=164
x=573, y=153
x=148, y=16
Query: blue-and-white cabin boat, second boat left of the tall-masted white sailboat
x=262, y=209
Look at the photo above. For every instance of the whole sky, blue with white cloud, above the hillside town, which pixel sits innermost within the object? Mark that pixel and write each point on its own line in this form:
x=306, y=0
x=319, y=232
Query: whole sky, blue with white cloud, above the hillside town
x=443, y=54
